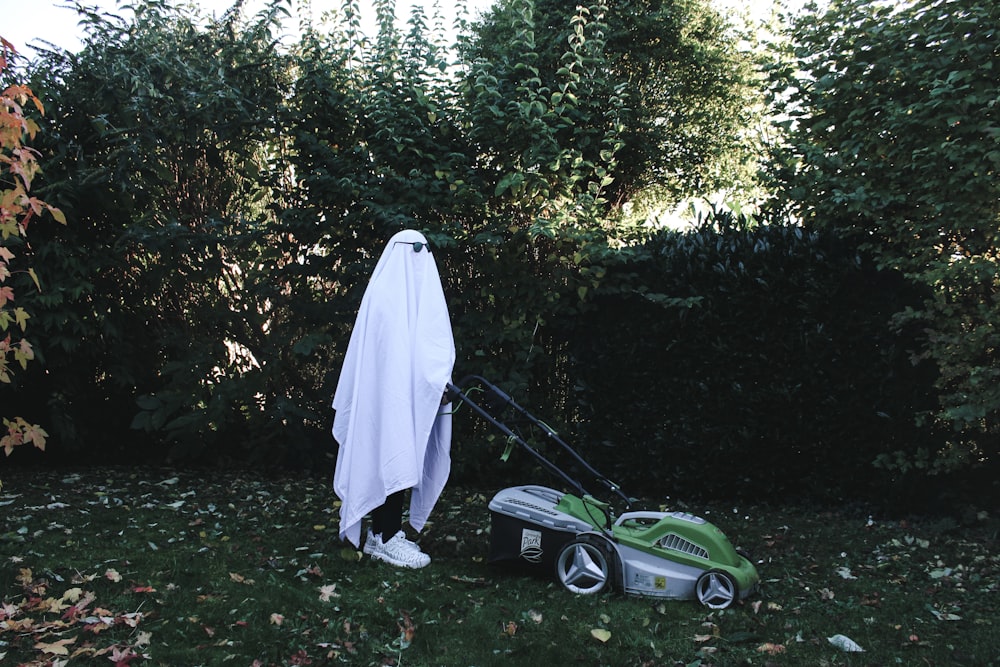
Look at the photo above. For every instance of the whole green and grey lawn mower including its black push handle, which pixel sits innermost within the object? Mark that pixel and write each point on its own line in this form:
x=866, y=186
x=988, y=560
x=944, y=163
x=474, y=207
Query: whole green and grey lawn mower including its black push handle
x=671, y=555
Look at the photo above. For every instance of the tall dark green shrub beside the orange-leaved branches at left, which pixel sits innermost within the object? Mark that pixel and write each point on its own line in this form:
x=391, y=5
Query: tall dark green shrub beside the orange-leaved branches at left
x=163, y=129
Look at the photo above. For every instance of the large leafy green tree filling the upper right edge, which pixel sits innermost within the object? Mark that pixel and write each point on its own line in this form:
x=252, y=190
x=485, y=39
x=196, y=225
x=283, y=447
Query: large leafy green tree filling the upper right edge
x=895, y=144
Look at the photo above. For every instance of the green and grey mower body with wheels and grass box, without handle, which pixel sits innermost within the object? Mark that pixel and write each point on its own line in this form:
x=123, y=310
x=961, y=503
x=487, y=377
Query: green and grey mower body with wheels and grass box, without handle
x=672, y=555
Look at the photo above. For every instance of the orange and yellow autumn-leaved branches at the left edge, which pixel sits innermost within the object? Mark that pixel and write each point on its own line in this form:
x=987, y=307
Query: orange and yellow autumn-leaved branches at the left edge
x=17, y=209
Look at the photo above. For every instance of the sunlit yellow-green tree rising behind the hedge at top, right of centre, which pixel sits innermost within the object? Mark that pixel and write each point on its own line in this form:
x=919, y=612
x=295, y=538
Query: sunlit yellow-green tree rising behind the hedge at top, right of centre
x=686, y=94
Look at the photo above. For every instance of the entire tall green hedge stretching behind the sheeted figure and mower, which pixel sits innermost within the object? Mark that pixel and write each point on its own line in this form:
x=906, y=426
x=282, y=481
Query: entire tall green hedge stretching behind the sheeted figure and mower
x=230, y=198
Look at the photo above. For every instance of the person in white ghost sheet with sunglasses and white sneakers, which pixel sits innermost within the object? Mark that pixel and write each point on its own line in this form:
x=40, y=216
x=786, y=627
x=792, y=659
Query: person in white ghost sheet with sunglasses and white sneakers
x=391, y=423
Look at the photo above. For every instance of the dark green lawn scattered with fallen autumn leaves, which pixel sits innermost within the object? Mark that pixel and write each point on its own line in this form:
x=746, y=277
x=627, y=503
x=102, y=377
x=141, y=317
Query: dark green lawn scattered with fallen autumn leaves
x=163, y=568
